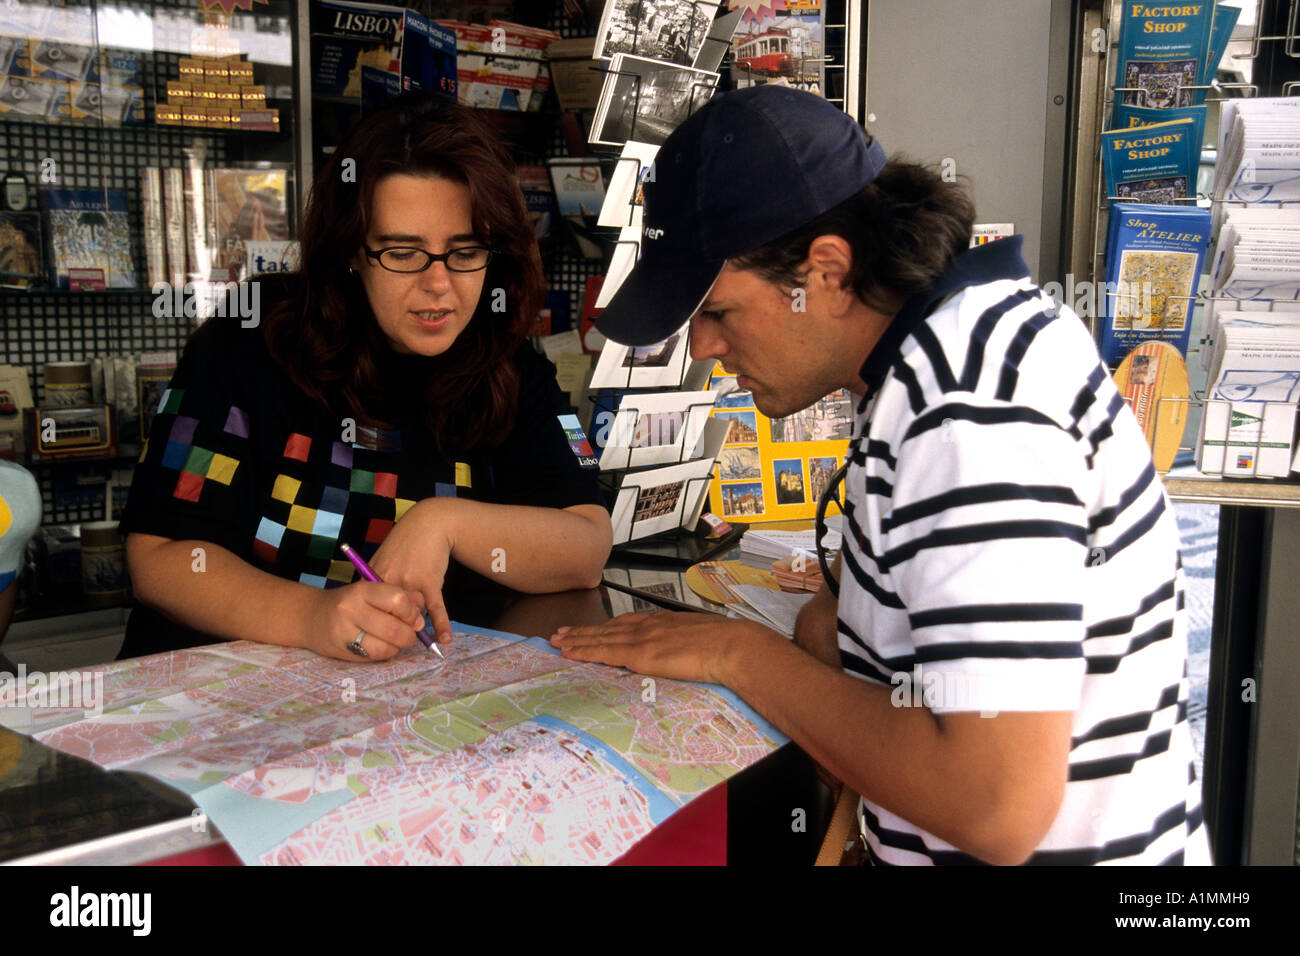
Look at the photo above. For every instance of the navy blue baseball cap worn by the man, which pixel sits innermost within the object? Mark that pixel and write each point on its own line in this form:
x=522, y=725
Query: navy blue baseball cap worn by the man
x=747, y=168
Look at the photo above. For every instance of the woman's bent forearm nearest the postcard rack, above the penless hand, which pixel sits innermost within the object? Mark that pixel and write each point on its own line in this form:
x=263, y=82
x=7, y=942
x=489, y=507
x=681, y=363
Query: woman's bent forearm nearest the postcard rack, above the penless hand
x=530, y=550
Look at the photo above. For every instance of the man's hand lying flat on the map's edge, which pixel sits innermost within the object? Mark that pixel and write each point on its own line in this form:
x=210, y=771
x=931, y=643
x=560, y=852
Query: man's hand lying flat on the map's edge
x=665, y=644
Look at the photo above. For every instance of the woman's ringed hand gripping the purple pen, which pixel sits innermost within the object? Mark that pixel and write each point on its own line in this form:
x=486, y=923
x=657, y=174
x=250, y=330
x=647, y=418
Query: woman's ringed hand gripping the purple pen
x=388, y=615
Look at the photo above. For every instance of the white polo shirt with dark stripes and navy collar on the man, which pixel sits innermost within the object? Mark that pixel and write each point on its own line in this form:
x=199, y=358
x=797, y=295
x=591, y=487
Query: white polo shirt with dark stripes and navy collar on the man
x=1009, y=547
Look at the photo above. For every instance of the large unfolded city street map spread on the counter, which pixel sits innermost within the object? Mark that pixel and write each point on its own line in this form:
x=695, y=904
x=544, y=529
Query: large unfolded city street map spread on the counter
x=508, y=754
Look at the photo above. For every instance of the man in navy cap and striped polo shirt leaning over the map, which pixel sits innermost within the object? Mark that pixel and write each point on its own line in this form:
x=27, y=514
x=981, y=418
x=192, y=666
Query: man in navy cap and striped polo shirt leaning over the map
x=998, y=664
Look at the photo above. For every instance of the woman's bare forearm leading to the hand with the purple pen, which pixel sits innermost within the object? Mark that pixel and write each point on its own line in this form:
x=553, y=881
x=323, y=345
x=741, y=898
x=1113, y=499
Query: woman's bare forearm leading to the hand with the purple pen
x=209, y=589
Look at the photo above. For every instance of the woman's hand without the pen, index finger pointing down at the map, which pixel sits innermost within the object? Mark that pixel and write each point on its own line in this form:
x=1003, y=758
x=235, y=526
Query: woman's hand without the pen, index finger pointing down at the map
x=415, y=557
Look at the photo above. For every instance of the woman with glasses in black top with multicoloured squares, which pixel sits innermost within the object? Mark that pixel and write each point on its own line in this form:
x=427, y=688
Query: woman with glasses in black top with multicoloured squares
x=391, y=403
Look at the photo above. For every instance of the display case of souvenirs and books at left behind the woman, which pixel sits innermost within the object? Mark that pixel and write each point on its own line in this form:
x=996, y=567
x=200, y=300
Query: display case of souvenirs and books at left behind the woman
x=151, y=155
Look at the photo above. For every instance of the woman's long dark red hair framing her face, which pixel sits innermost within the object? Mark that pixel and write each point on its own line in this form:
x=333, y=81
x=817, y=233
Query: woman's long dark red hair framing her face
x=327, y=336
